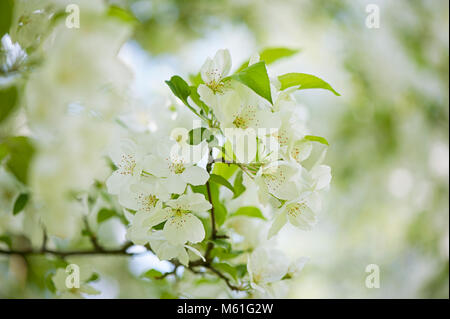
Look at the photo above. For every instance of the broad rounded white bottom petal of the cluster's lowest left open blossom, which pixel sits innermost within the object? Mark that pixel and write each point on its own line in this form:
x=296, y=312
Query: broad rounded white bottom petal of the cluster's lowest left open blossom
x=184, y=228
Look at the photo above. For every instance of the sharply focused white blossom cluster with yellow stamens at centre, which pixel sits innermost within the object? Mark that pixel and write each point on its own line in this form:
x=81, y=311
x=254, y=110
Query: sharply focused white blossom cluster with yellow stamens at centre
x=252, y=132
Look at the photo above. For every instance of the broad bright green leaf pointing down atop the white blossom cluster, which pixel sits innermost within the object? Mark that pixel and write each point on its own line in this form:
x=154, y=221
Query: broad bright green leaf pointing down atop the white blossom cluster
x=256, y=78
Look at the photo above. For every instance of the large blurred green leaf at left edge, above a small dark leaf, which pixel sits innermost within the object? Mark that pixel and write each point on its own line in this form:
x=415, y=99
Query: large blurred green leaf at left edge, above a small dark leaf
x=21, y=151
